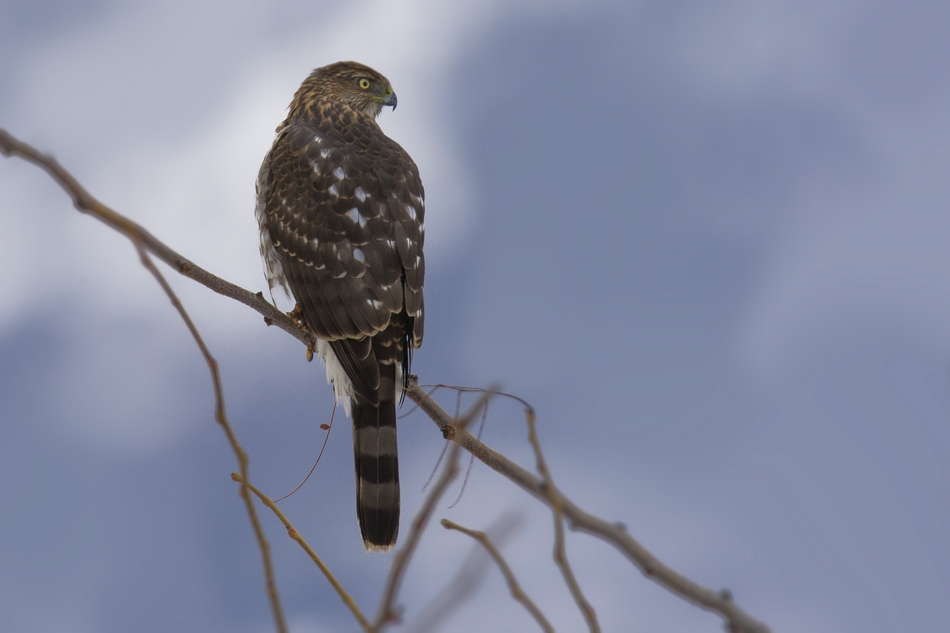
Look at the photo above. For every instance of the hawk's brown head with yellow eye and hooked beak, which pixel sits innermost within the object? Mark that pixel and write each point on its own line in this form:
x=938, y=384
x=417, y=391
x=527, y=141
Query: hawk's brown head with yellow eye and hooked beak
x=359, y=86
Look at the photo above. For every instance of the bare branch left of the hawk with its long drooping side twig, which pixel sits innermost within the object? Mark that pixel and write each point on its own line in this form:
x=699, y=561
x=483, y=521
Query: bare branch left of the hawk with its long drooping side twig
x=144, y=244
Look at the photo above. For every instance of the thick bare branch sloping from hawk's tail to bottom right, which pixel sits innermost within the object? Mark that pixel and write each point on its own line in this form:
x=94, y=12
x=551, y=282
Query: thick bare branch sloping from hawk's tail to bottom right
x=737, y=620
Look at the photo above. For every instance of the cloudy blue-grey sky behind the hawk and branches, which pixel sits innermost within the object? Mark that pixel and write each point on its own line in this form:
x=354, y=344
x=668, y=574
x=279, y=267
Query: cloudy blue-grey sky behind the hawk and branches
x=707, y=241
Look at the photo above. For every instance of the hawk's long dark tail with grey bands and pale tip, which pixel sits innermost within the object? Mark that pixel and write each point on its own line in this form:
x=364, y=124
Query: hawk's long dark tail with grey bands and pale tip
x=377, y=470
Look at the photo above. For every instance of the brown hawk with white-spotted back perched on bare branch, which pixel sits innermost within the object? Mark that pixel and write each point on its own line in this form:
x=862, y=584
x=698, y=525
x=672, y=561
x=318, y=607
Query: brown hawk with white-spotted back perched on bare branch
x=340, y=207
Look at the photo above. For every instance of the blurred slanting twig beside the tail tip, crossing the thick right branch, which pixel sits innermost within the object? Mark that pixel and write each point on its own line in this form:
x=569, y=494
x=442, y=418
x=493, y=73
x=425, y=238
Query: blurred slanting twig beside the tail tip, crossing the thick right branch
x=387, y=612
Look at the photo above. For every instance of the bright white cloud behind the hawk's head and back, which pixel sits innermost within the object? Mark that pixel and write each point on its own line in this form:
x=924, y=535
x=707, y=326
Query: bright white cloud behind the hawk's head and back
x=165, y=112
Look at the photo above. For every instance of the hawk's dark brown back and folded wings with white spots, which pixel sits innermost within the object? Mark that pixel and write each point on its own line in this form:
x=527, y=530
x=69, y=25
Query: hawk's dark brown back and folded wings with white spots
x=344, y=212
